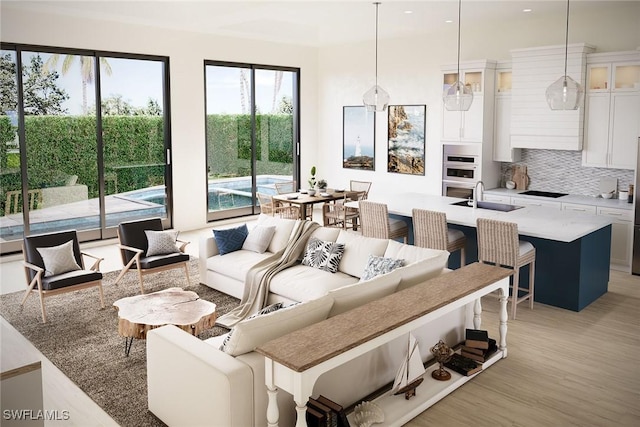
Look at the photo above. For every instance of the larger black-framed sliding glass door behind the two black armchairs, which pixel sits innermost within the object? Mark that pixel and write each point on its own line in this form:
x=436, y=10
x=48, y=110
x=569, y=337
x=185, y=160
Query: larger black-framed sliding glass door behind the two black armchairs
x=84, y=142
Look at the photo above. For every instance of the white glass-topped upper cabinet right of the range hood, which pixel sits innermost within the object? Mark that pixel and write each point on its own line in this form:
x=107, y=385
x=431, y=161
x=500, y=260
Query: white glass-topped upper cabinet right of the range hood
x=612, y=110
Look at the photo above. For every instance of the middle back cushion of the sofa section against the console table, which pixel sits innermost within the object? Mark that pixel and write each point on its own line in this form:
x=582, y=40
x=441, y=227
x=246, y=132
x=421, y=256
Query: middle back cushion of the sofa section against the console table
x=352, y=296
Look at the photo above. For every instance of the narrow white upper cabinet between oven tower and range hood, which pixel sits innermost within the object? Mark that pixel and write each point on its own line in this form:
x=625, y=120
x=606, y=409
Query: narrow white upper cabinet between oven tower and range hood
x=502, y=150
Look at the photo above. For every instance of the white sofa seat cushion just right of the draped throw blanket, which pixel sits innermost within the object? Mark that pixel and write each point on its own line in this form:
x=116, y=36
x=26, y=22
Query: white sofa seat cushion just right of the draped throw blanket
x=302, y=283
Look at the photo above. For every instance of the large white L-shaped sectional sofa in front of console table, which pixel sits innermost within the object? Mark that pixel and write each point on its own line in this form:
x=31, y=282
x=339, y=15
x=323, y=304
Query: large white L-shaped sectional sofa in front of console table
x=192, y=382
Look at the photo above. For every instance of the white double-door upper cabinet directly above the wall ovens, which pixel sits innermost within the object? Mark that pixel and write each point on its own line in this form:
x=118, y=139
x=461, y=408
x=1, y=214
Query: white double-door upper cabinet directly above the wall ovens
x=476, y=124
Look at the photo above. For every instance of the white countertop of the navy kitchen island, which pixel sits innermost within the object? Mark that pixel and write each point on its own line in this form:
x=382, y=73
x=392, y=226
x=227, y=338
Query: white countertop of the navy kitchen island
x=534, y=221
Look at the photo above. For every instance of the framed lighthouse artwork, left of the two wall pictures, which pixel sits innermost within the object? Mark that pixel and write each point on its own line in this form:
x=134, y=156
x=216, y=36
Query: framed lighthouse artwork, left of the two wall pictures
x=358, y=138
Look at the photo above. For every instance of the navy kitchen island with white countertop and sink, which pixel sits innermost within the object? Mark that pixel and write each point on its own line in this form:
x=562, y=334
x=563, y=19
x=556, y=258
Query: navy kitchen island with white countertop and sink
x=572, y=249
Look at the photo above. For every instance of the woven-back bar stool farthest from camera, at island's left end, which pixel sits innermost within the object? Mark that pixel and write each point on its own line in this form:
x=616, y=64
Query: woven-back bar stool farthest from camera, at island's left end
x=375, y=222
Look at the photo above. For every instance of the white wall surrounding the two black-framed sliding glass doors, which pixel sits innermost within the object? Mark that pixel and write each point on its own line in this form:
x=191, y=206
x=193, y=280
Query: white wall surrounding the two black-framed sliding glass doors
x=186, y=52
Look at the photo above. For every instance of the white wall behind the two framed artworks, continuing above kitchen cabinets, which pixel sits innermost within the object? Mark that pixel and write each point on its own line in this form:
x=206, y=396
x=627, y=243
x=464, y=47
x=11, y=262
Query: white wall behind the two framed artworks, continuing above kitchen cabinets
x=409, y=69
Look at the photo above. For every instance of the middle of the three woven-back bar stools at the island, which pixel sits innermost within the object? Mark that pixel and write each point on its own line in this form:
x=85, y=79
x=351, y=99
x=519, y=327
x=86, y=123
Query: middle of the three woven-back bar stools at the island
x=430, y=231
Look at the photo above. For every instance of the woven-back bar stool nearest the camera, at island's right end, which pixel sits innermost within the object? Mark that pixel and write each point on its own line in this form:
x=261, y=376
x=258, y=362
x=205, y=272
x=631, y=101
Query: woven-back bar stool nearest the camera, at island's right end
x=498, y=244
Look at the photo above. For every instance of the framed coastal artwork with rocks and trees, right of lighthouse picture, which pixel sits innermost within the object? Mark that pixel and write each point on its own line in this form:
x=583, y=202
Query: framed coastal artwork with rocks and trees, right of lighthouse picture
x=406, y=139
